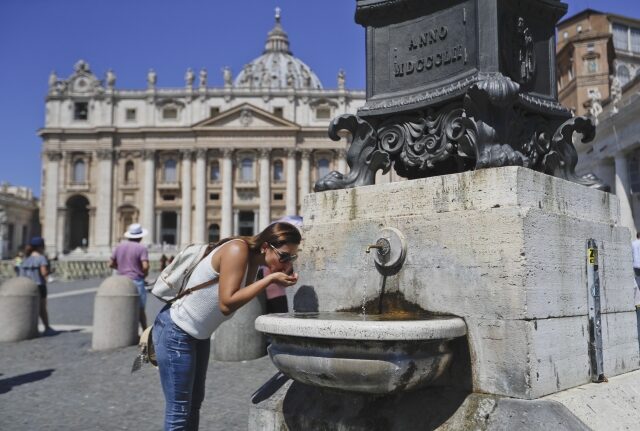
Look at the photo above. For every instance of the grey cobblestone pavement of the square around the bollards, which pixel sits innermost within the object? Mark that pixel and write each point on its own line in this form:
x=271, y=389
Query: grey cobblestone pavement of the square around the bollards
x=58, y=383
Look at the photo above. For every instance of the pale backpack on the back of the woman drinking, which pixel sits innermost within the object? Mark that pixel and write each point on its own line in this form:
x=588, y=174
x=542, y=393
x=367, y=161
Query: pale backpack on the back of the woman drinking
x=169, y=286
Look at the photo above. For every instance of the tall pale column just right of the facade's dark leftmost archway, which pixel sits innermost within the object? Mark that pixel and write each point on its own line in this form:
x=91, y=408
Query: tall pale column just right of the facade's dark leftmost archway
x=104, y=199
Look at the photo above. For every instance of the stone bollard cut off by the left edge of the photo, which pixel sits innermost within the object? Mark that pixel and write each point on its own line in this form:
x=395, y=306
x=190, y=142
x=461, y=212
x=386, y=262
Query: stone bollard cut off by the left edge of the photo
x=19, y=307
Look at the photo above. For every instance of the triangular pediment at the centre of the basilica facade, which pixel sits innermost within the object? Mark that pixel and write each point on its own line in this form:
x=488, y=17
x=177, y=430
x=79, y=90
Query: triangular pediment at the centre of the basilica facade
x=245, y=116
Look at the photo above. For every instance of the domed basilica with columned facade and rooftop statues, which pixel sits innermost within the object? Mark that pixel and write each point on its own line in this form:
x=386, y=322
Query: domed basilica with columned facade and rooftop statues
x=191, y=164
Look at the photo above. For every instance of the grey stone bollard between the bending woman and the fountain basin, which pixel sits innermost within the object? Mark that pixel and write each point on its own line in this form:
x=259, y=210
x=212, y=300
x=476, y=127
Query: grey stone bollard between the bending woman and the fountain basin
x=237, y=338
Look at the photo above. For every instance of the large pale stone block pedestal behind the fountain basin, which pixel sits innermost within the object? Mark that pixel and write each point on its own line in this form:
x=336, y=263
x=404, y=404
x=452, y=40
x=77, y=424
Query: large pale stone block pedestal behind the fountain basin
x=505, y=249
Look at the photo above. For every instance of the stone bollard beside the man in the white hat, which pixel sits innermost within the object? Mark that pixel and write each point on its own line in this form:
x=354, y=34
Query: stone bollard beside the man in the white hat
x=116, y=314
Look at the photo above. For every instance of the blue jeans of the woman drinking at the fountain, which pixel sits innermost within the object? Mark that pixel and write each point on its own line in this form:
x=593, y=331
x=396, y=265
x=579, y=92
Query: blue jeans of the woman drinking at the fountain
x=183, y=362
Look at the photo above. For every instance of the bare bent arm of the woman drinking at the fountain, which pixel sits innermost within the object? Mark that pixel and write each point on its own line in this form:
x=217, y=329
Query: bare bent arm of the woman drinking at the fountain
x=233, y=262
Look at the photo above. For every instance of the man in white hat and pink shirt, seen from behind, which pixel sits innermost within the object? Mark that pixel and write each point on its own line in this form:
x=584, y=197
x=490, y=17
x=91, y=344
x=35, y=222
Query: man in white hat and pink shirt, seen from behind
x=131, y=259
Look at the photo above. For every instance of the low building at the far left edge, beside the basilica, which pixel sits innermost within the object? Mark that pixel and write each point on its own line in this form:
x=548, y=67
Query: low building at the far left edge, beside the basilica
x=18, y=219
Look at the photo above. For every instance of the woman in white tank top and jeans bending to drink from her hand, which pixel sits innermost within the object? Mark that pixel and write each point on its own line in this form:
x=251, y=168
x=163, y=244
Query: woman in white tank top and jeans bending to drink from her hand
x=220, y=283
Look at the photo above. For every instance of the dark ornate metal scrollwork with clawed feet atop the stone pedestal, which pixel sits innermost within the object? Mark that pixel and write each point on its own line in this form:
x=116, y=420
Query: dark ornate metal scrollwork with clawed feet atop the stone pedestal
x=491, y=128
